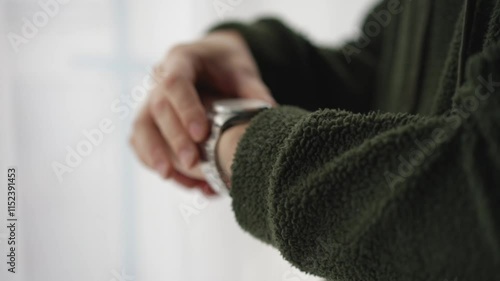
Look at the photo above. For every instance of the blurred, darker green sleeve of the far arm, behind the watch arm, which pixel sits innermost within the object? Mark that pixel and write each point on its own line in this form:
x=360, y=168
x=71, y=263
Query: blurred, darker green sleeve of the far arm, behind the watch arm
x=291, y=66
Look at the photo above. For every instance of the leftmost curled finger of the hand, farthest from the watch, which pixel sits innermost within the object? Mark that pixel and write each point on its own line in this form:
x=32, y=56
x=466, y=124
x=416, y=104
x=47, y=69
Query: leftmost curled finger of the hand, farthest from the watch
x=149, y=145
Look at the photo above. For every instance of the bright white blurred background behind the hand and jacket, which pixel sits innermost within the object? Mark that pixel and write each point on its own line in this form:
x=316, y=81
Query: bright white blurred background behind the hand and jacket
x=87, y=209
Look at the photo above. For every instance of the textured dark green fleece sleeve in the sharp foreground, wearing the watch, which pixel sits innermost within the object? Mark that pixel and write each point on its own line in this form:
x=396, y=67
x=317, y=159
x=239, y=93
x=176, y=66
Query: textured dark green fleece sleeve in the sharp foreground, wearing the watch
x=379, y=196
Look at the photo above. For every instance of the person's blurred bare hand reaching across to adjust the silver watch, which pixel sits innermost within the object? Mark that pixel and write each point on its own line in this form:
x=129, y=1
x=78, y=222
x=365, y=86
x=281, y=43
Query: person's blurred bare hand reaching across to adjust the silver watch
x=173, y=122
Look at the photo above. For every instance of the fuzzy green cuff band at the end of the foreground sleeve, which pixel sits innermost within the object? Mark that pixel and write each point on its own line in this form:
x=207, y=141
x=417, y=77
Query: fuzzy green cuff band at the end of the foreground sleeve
x=253, y=165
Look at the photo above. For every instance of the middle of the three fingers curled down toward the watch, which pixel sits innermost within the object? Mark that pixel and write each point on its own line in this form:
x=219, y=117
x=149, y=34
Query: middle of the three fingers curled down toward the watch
x=172, y=130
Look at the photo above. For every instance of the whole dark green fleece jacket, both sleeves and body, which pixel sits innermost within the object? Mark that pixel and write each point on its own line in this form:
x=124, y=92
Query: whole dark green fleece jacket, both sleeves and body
x=383, y=160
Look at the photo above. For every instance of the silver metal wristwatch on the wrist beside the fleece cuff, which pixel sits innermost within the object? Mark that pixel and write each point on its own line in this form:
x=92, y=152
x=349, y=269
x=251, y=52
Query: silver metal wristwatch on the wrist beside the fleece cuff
x=225, y=114
